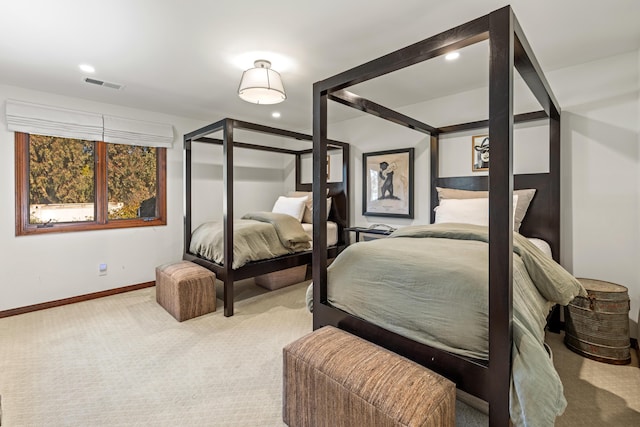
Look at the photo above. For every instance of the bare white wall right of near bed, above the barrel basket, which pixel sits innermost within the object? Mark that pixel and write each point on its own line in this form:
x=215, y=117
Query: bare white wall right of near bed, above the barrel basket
x=601, y=171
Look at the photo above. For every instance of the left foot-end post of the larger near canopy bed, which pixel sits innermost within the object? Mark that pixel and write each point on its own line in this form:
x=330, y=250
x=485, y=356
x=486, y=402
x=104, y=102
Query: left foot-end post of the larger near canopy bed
x=319, y=260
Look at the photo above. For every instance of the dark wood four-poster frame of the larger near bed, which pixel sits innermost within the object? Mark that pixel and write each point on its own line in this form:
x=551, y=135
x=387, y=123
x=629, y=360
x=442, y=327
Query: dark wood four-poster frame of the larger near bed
x=509, y=48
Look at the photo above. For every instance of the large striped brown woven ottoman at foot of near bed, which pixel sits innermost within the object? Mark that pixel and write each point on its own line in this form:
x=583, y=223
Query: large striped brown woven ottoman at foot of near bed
x=333, y=378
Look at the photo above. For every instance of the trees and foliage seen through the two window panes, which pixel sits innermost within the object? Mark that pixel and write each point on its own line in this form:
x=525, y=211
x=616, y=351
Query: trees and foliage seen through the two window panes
x=62, y=172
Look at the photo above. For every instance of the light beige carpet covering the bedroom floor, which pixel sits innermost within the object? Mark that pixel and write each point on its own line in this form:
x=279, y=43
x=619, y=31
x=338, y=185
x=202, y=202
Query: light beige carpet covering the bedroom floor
x=124, y=361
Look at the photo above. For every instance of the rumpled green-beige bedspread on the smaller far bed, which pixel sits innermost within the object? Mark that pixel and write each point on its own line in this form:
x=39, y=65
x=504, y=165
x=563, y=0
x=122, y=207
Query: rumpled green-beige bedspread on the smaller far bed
x=257, y=236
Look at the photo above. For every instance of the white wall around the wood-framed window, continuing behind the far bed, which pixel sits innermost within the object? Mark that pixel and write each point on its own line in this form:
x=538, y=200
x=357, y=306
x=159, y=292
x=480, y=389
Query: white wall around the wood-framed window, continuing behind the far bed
x=44, y=268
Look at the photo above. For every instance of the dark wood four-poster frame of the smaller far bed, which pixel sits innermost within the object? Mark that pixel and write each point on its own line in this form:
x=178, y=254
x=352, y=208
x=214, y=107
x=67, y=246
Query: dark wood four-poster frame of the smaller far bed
x=337, y=190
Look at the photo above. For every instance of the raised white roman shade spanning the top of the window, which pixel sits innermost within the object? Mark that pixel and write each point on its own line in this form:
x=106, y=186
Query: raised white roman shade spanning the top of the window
x=61, y=122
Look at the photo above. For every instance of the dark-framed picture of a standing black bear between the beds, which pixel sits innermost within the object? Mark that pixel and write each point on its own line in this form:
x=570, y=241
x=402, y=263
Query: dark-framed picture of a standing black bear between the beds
x=387, y=179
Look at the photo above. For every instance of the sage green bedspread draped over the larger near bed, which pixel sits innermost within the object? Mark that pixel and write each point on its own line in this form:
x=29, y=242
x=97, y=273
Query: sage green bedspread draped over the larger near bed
x=430, y=283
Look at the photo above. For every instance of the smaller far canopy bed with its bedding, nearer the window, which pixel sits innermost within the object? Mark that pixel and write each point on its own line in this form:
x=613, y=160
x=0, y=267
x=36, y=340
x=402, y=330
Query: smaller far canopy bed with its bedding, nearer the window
x=214, y=244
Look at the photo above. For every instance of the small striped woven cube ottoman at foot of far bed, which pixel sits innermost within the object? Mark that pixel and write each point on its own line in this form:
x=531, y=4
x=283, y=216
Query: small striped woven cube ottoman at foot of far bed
x=186, y=290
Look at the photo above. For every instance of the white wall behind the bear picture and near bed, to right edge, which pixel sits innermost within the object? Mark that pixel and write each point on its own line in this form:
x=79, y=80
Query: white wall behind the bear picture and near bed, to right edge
x=600, y=163
